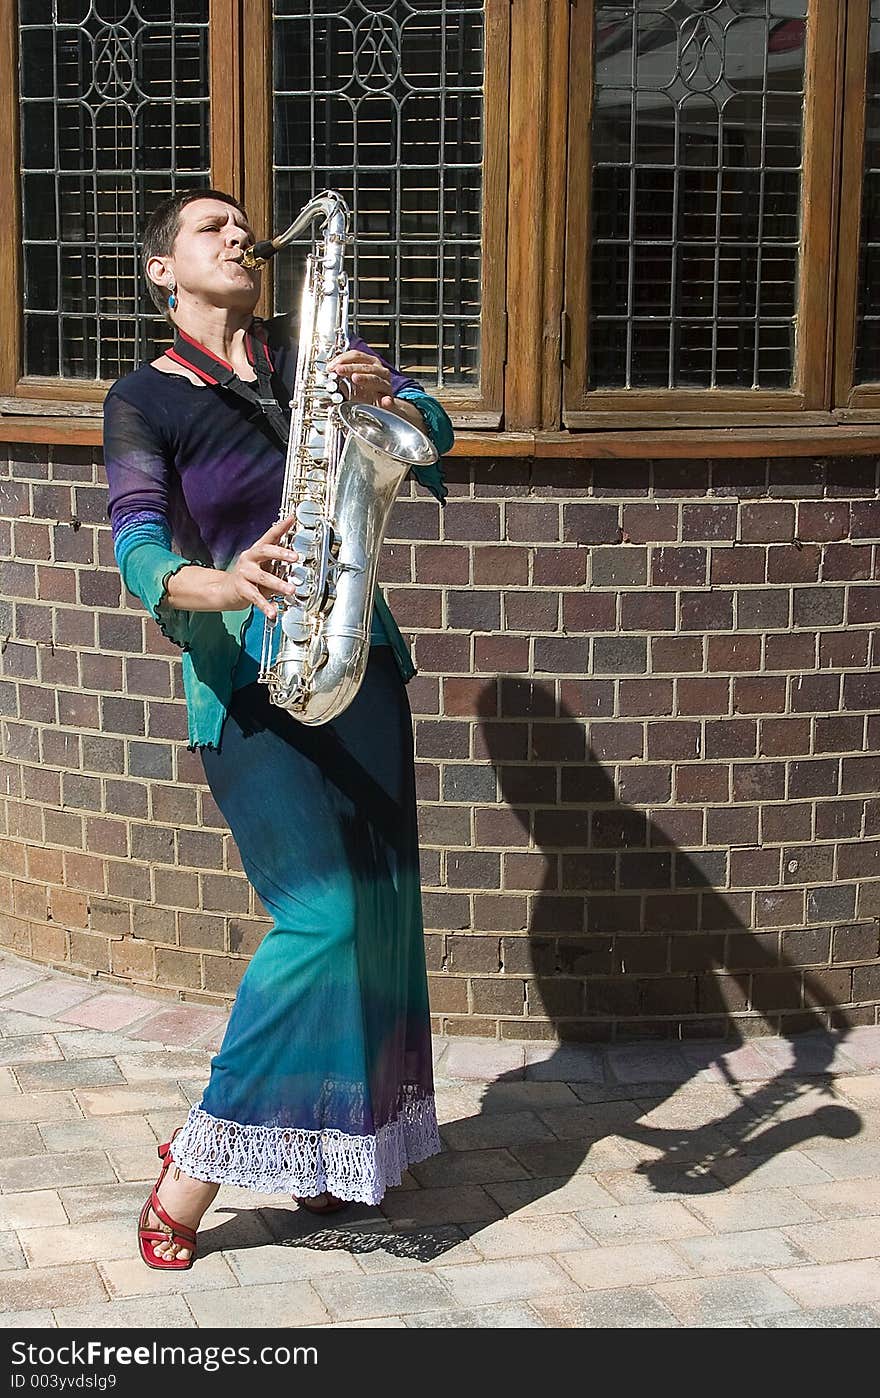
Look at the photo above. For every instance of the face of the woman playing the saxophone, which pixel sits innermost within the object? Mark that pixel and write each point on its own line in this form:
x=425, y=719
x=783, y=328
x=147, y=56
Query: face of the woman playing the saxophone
x=205, y=261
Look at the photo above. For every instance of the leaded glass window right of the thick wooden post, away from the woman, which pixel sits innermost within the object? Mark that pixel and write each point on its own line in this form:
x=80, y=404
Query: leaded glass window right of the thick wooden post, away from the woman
x=696, y=194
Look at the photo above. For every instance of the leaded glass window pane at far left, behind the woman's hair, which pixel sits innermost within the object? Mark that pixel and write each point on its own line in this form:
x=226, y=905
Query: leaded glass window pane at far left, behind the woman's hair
x=114, y=120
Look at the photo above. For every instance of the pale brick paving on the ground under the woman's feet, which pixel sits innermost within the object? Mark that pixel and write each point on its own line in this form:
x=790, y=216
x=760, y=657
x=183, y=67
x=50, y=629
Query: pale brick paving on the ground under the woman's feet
x=730, y=1186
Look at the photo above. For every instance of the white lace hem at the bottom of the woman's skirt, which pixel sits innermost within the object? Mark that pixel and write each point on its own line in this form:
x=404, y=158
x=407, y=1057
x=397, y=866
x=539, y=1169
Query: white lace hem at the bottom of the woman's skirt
x=292, y=1161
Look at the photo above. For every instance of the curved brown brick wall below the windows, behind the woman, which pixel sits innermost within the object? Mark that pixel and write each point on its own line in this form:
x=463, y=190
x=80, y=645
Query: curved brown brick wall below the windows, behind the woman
x=647, y=735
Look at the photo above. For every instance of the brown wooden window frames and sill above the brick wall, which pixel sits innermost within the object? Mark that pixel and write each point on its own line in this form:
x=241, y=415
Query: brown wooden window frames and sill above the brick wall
x=535, y=276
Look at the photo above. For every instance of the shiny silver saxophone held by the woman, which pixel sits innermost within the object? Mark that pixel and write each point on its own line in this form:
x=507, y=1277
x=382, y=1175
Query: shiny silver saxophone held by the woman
x=346, y=463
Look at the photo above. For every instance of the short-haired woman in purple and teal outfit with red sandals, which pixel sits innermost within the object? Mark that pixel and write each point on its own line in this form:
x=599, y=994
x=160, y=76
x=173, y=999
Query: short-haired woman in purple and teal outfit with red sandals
x=324, y=1083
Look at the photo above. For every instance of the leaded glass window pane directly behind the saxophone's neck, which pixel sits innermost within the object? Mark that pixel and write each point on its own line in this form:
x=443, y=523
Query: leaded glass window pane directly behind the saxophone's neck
x=383, y=100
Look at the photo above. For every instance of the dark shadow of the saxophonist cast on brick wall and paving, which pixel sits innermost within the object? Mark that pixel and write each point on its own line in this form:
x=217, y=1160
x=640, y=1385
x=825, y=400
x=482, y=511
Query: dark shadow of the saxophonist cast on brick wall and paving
x=651, y=950
